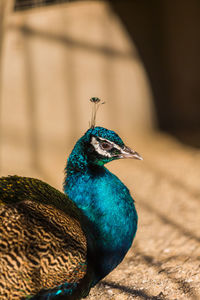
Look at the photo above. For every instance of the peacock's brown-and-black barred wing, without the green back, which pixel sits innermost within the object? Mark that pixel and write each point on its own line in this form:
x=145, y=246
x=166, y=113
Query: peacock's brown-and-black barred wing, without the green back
x=41, y=247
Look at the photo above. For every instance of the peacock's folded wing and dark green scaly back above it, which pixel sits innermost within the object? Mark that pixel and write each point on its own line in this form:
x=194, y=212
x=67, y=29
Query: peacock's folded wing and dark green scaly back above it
x=41, y=247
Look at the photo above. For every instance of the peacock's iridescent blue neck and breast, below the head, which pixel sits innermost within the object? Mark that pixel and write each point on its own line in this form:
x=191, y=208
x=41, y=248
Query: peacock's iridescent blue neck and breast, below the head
x=106, y=202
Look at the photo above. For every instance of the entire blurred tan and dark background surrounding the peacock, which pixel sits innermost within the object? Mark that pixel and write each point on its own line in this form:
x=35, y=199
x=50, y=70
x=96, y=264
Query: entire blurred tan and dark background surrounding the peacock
x=142, y=58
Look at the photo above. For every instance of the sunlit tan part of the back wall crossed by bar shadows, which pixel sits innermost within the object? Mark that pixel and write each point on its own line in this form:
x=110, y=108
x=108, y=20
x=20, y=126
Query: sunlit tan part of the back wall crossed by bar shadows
x=54, y=59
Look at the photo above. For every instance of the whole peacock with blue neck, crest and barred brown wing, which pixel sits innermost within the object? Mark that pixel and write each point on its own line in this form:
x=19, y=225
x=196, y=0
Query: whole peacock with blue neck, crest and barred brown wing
x=56, y=245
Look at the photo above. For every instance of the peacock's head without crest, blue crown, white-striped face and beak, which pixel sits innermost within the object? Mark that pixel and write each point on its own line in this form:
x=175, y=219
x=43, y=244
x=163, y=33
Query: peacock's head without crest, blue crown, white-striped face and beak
x=103, y=145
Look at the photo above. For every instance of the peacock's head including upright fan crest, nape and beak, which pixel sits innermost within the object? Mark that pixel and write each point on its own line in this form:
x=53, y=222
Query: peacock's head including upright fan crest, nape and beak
x=98, y=146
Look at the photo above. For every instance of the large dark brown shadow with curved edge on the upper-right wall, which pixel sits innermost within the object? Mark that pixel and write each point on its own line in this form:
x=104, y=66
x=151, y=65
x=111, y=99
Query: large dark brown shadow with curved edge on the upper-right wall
x=167, y=36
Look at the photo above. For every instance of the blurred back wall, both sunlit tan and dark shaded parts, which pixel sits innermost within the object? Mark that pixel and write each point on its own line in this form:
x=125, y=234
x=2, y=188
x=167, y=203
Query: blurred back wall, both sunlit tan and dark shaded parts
x=140, y=57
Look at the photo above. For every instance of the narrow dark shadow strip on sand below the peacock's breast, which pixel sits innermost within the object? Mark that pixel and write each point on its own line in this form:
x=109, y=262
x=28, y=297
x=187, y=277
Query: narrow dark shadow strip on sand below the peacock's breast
x=130, y=291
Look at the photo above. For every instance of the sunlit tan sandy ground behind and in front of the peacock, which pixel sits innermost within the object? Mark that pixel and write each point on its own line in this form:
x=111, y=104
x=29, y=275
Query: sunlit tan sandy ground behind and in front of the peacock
x=164, y=260
